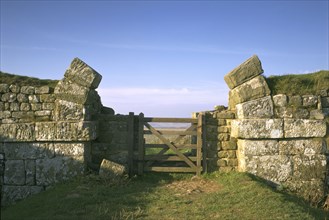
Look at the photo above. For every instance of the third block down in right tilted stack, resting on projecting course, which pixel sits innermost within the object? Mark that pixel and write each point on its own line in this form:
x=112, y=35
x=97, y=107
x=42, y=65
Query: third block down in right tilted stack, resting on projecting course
x=259, y=108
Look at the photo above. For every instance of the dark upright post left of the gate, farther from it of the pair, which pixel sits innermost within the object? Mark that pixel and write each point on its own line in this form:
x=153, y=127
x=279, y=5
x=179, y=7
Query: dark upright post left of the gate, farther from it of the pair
x=131, y=144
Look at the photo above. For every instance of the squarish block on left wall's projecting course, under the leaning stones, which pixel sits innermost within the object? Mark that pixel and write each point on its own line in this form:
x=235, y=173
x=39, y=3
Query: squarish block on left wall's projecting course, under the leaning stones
x=65, y=110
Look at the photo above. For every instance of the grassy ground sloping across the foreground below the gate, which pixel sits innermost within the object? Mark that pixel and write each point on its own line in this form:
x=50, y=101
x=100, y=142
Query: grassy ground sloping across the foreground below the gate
x=164, y=196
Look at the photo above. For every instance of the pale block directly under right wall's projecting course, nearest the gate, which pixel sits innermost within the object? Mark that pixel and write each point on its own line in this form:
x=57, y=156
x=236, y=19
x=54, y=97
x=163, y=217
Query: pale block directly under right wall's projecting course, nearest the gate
x=258, y=147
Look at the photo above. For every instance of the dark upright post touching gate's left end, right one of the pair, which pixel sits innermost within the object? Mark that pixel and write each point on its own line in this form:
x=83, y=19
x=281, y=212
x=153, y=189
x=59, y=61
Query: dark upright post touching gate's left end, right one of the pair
x=141, y=150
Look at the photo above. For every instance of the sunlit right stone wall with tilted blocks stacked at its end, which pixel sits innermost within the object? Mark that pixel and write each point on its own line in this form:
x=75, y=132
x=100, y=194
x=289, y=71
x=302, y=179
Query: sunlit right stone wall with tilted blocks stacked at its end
x=280, y=138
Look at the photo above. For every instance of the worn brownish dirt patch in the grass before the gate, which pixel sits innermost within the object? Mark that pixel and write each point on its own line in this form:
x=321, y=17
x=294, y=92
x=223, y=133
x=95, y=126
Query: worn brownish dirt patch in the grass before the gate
x=193, y=186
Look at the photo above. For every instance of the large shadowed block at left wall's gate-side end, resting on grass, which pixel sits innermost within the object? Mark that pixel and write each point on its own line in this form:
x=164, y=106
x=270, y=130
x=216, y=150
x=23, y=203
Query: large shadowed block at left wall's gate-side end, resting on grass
x=57, y=169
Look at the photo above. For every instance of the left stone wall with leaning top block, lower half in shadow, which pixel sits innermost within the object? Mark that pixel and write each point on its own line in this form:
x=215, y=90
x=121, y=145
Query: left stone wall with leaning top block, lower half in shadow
x=46, y=135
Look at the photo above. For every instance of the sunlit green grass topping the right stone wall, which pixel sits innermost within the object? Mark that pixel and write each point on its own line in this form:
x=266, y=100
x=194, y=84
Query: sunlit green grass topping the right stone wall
x=299, y=84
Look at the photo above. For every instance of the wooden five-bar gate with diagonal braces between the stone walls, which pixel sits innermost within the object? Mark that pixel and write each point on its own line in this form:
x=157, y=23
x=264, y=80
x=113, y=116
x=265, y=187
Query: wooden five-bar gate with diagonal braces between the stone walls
x=182, y=152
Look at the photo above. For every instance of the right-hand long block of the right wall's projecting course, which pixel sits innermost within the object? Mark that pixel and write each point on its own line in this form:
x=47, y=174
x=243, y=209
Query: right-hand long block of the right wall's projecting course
x=304, y=128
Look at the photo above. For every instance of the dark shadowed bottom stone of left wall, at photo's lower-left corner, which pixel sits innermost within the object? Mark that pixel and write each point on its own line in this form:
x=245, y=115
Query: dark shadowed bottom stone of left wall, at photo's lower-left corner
x=15, y=193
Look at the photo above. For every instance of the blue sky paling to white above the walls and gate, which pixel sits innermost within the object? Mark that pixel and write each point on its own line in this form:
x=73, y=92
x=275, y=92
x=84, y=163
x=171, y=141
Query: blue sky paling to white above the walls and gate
x=163, y=58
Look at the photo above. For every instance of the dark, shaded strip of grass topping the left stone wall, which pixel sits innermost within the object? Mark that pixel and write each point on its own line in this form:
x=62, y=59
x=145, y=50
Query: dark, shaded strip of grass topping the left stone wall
x=12, y=79
